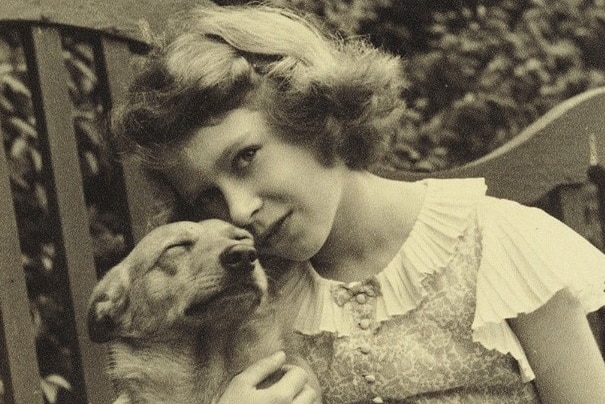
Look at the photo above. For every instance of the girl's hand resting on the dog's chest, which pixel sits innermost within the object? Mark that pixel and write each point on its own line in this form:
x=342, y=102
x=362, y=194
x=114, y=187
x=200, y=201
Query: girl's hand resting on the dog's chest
x=292, y=387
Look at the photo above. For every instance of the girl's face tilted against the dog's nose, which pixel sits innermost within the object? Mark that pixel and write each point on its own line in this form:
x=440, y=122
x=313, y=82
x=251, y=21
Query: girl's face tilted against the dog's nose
x=243, y=172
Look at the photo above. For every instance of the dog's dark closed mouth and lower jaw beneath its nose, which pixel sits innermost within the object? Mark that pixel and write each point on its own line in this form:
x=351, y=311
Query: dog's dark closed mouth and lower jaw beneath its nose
x=233, y=299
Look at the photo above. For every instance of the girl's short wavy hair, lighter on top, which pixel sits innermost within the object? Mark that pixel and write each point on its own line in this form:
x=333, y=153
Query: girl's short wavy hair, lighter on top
x=340, y=97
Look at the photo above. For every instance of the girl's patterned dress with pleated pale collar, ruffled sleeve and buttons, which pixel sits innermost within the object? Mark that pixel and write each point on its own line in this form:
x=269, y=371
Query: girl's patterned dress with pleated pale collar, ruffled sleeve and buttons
x=430, y=327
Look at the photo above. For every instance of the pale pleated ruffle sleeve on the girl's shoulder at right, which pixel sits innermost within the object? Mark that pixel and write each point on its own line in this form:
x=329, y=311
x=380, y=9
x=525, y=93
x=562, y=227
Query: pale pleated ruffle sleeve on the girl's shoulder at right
x=527, y=257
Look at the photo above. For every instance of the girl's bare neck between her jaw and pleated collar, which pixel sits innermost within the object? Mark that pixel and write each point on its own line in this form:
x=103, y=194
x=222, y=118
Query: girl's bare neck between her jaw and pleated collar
x=374, y=218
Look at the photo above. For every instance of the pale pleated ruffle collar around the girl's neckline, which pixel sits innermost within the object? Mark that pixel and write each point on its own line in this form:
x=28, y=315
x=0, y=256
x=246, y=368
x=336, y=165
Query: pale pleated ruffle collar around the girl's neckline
x=427, y=250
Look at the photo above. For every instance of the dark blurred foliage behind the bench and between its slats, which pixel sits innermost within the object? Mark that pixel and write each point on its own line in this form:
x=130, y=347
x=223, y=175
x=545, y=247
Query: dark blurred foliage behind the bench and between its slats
x=479, y=72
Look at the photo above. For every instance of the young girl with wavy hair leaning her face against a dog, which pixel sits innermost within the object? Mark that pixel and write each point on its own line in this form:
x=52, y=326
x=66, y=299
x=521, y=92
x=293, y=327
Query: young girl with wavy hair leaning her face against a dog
x=422, y=292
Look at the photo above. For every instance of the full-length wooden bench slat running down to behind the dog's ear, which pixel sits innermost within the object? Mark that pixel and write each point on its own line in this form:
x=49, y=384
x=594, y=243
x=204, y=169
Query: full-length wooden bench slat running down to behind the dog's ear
x=71, y=207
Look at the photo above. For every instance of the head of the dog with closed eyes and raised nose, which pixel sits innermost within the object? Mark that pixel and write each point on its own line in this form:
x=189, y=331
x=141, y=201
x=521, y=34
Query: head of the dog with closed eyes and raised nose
x=179, y=278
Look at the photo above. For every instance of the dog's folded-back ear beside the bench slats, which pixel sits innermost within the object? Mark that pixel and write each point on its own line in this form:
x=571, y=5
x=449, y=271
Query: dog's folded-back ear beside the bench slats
x=108, y=304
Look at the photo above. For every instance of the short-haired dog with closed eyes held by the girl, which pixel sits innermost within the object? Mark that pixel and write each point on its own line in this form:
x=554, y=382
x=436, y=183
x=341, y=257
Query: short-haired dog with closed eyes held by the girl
x=185, y=311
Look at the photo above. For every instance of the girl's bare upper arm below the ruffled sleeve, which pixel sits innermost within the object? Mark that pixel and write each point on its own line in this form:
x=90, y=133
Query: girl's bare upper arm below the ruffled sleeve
x=562, y=351
